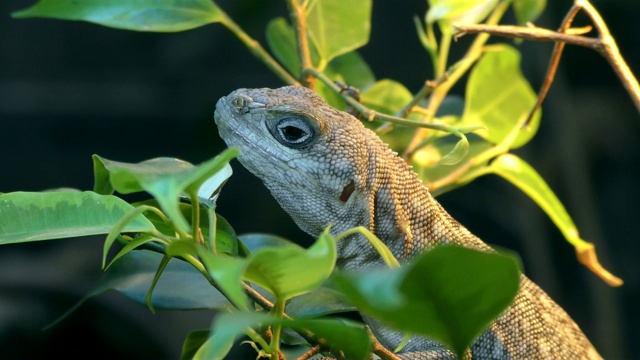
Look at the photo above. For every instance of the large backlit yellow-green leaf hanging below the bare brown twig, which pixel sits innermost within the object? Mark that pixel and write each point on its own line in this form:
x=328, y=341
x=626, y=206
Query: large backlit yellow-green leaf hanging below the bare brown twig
x=500, y=98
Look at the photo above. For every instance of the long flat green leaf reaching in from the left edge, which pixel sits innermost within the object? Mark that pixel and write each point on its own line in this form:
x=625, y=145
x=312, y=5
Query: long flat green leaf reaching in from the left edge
x=33, y=216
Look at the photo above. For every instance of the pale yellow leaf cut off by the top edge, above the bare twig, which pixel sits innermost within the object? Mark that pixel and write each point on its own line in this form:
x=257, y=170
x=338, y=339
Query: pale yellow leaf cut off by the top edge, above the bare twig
x=446, y=12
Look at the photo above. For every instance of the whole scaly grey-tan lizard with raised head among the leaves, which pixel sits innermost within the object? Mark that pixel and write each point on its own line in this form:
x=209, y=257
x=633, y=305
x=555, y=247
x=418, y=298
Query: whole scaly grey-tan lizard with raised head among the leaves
x=325, y=167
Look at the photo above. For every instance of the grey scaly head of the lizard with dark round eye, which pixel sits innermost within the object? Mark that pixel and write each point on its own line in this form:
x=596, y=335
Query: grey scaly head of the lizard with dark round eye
x=312, y=157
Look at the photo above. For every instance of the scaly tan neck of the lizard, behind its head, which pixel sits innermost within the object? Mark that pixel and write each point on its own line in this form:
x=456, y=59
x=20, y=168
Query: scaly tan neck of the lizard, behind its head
x=402, y=214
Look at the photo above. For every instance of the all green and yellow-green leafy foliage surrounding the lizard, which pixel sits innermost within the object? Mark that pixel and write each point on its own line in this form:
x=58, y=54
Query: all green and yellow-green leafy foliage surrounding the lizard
x=290, y=286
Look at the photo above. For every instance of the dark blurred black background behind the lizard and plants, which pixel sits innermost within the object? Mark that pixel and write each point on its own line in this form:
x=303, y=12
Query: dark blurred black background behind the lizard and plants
x=72, y=89
